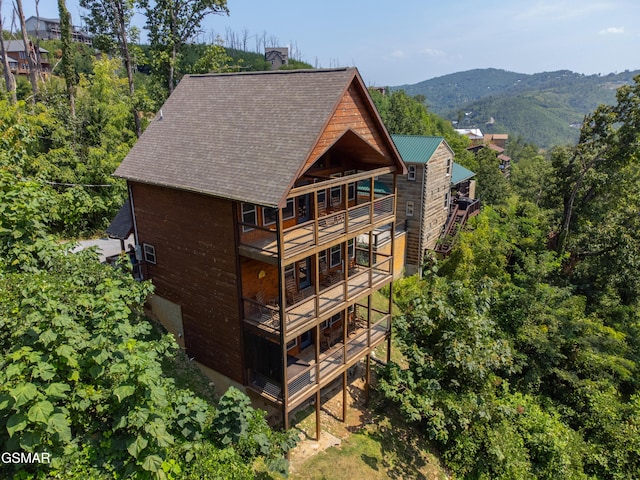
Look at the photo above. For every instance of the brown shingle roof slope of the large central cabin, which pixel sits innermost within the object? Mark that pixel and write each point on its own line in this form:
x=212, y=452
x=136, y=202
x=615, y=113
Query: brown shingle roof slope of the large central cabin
x=240, y=136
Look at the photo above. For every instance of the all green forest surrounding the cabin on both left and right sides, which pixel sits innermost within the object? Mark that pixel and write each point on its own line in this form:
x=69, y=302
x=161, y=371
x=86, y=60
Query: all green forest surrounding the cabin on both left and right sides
x=520, y=350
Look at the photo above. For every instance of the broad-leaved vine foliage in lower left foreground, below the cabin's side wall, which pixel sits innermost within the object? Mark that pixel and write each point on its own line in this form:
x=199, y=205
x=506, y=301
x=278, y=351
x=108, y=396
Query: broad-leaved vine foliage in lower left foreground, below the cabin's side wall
x=81, y=378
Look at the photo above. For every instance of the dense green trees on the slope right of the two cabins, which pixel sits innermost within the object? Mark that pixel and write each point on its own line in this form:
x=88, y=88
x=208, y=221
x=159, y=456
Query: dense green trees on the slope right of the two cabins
x=522, y=347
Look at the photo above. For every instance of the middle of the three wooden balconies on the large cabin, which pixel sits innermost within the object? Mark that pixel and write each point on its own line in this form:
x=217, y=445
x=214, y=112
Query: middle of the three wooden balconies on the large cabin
x=306, y=309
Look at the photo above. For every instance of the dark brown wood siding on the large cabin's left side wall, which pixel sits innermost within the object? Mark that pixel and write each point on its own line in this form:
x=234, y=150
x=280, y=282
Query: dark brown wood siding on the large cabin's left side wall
x=193, y=236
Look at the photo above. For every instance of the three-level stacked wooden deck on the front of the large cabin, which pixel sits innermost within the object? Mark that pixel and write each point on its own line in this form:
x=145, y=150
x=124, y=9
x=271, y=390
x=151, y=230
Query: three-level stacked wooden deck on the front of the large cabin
x=326, y=325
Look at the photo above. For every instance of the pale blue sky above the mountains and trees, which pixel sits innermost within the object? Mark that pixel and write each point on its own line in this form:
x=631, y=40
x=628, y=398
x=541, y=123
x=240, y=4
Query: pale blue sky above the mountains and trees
x=416, y=40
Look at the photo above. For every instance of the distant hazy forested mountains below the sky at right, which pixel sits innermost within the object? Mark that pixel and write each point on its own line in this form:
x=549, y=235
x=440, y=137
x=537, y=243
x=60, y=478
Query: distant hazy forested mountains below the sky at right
x=544, y=108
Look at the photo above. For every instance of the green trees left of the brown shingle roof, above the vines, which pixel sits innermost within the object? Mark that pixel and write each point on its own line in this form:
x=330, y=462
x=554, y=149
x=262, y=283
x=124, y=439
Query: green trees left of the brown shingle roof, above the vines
x=71, y=160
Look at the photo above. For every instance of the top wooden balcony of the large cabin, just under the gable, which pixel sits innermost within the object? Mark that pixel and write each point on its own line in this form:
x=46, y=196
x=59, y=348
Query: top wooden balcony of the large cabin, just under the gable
x=262, y=242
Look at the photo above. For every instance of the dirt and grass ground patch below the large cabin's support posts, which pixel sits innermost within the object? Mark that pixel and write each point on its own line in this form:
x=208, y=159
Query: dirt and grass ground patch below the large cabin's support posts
x=372, y=442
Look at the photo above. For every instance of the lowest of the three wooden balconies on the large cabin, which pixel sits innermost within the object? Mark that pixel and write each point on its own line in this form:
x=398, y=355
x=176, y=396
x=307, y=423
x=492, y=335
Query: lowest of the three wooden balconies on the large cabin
x=304, y=375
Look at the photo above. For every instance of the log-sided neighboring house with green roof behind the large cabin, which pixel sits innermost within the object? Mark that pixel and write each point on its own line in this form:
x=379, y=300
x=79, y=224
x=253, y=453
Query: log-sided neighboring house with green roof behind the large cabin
x=424, y=193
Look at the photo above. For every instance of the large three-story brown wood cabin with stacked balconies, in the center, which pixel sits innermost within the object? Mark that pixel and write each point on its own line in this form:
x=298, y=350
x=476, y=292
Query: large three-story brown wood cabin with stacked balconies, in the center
x=248, y=194
